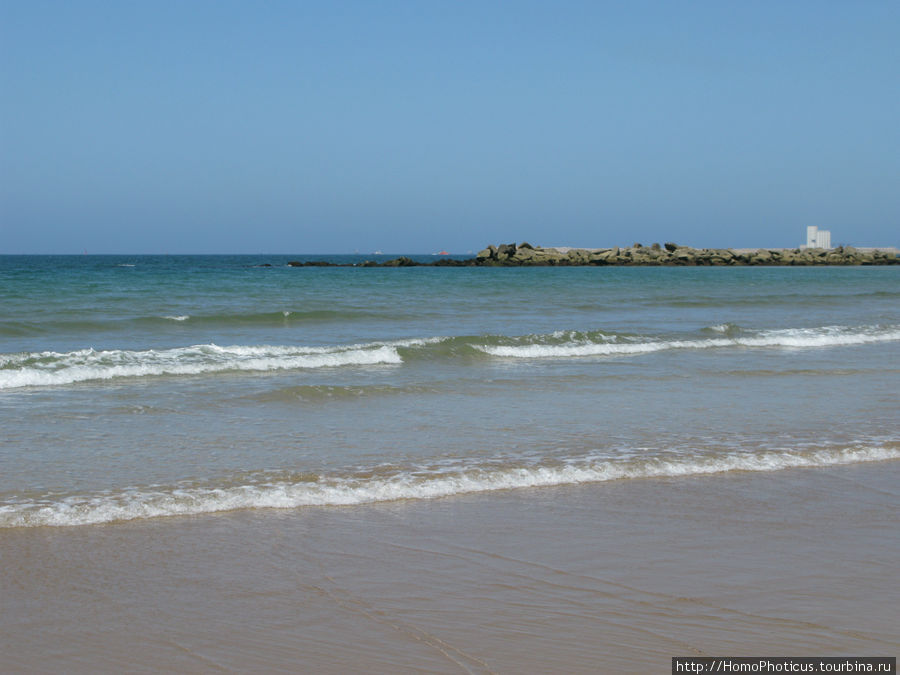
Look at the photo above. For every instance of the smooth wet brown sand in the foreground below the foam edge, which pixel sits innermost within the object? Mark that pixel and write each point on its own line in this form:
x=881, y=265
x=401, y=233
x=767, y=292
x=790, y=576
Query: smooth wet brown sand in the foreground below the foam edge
x=611, y=577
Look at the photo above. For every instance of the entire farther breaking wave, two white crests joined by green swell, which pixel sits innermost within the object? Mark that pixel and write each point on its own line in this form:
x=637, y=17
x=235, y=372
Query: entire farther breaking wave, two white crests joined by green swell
x=35, y=369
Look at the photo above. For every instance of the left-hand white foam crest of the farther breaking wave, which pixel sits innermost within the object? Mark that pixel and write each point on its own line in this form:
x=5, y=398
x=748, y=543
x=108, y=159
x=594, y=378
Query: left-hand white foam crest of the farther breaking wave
x=37, y=369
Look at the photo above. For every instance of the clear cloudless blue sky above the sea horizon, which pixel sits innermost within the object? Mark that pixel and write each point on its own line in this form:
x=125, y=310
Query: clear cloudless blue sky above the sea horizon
x=211, y=126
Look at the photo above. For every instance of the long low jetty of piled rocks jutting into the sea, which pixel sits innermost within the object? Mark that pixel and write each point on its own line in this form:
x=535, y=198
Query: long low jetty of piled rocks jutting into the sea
x=667, y=255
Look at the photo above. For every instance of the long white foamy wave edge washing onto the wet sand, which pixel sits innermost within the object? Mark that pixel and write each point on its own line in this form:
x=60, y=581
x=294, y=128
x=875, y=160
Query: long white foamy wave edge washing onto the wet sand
x=138, y=504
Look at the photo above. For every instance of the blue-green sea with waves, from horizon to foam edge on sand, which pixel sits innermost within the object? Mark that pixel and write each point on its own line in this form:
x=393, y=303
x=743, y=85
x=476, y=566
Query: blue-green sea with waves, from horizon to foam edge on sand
x=146, y=386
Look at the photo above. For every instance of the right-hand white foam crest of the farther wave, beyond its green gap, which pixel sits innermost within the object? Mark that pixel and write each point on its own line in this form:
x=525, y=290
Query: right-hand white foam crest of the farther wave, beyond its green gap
x=828, y=336
